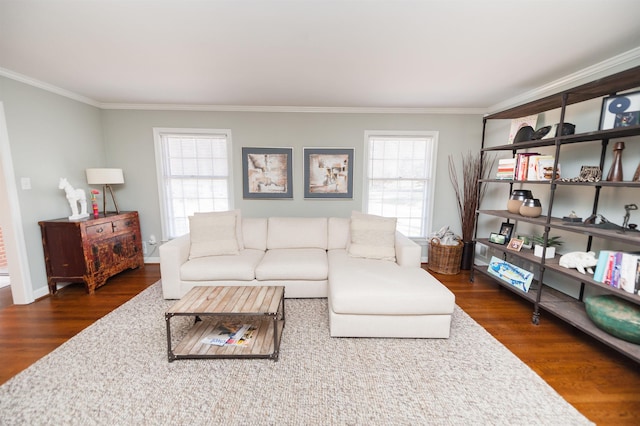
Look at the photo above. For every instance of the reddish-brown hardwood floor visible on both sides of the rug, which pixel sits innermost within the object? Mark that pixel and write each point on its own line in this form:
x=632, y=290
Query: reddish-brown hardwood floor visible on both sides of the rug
x=598, y=381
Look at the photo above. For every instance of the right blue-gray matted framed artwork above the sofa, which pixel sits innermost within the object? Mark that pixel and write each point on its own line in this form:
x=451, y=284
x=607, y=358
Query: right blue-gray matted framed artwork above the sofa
x=328, y=172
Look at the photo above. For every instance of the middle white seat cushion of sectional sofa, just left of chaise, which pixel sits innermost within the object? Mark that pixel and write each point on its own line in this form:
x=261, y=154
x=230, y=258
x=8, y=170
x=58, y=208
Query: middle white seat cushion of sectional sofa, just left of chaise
x=293, y=264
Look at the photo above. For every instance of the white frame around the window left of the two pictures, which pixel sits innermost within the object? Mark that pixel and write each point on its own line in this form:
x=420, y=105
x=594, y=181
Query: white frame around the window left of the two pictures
x=159, y=133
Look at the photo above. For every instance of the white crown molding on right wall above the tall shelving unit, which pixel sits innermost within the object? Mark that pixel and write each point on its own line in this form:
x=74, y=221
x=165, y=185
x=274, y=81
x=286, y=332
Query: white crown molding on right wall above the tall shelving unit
x=621, y=62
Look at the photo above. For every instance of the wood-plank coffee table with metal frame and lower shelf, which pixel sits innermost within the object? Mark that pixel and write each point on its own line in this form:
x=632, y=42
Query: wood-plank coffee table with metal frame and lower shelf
x=261, y=306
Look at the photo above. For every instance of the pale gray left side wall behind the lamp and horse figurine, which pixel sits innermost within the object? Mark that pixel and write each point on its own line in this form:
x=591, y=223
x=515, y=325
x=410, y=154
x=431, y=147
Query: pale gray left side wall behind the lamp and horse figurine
x=50, y=137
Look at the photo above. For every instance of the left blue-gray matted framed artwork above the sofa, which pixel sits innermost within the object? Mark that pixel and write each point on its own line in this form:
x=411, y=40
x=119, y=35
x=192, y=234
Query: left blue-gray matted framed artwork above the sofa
x=267, y=173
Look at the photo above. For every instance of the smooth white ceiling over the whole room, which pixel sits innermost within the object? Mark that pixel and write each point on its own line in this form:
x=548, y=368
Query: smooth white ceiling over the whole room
x=318, y=53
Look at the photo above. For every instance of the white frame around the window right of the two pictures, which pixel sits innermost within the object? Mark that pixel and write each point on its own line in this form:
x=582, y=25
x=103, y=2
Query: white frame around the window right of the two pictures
x=432, y=151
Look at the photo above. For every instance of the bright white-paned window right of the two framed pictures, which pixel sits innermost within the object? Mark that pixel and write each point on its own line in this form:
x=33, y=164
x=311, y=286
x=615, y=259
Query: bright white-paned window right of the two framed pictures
x=399, y=178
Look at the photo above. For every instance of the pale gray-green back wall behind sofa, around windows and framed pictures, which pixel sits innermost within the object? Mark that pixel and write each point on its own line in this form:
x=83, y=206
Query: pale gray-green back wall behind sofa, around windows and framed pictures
x=129, y=145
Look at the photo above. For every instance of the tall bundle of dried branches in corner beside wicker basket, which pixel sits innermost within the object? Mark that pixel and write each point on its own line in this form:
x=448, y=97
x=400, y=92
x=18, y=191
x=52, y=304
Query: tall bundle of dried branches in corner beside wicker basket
x=469, y=195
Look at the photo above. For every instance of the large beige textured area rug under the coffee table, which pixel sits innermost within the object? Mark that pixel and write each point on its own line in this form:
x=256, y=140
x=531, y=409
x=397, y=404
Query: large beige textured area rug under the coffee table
x=116, y=372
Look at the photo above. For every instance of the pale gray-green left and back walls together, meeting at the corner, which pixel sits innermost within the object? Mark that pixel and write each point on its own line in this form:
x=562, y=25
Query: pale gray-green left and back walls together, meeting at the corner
x=52, y=136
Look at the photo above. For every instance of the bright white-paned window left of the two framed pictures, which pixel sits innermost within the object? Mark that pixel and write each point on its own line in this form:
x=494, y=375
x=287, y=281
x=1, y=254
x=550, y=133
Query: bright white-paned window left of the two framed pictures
x=194, y=169
